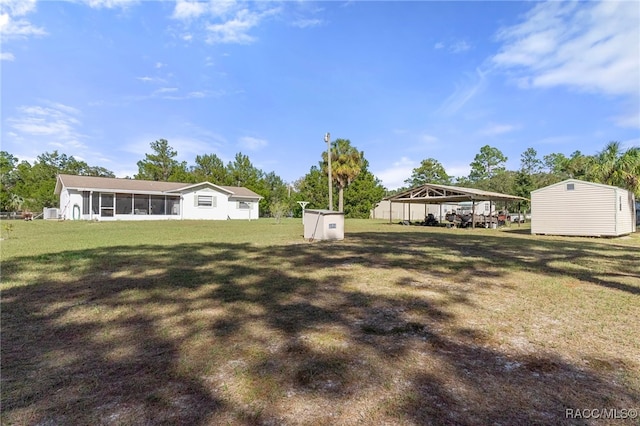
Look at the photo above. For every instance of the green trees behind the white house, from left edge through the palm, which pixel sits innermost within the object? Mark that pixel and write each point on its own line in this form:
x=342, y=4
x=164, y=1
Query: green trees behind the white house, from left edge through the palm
x=26, y=186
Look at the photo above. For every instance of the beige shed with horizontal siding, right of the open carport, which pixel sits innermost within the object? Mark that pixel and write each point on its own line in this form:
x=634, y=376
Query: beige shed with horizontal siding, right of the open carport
x=579, y=208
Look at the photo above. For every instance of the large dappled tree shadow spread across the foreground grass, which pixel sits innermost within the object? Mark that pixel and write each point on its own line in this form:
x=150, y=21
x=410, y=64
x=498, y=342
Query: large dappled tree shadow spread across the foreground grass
x=214, y=332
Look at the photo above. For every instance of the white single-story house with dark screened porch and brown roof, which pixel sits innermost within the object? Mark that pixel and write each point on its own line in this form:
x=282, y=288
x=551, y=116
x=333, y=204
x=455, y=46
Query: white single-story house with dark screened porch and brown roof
x=100, y=198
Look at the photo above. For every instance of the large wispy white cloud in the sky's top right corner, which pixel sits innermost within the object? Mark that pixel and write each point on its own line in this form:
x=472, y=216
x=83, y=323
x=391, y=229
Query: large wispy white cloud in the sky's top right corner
x=590, y=46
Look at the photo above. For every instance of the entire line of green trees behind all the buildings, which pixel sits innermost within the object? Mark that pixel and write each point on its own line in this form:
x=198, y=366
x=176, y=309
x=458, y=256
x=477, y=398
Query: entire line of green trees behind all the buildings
x=31, y=186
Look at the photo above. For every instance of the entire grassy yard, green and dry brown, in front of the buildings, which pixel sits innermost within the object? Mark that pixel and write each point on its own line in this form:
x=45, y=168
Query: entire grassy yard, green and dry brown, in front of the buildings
x=207, y=323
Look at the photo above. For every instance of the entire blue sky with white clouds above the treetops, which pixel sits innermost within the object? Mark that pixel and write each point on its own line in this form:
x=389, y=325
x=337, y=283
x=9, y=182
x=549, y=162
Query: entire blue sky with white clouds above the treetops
x=404, y=81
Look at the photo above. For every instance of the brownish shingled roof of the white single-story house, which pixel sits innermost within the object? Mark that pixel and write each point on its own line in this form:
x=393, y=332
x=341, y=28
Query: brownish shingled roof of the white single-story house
x=105, y=184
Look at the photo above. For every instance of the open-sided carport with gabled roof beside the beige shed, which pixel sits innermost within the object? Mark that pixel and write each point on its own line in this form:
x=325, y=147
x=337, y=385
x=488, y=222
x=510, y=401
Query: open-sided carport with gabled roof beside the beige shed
x=439, y=194
